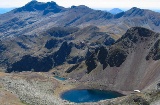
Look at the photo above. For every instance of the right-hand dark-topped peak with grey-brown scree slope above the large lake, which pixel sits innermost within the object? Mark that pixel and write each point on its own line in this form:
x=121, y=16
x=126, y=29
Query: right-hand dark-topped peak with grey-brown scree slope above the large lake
x=123, y=66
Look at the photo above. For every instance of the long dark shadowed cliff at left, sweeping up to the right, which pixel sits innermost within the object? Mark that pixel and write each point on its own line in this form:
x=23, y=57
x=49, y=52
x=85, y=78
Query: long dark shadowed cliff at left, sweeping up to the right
x=44, y=64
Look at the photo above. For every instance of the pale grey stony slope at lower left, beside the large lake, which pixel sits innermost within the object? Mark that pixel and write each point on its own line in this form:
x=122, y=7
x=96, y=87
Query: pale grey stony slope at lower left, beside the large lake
x=32, y=88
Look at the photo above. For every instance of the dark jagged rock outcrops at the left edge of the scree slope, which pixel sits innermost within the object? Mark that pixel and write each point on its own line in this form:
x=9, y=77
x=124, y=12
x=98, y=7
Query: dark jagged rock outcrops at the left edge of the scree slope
x=113, y=58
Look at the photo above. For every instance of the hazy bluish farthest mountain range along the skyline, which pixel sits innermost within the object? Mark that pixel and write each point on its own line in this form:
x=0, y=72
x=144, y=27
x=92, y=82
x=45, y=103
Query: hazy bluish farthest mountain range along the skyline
x=28, y=18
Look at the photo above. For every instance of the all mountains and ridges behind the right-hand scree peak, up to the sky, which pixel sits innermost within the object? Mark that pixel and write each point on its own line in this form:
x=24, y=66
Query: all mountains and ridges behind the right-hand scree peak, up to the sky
x=43, y=27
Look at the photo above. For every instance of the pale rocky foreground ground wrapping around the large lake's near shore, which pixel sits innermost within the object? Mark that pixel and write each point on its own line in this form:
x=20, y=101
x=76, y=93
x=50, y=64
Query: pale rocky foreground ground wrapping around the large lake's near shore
x=29, y=88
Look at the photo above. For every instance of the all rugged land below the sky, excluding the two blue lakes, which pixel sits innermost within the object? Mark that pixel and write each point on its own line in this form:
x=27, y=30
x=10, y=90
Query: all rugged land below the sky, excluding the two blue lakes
x=91, y=48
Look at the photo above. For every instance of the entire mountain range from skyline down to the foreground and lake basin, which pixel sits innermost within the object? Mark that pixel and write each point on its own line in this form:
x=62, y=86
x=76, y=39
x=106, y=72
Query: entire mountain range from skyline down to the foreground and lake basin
x=42, y=36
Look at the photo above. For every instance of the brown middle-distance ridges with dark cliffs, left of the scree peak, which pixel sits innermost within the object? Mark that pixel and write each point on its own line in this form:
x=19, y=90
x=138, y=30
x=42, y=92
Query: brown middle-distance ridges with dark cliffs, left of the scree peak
x=55, y=46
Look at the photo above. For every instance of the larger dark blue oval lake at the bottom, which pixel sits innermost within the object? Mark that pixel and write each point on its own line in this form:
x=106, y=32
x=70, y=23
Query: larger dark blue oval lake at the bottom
x=89, y=95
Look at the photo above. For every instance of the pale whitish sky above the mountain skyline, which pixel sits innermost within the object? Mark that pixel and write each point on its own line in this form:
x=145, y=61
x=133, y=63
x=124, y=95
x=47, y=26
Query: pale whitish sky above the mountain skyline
x=96, y=4
